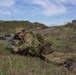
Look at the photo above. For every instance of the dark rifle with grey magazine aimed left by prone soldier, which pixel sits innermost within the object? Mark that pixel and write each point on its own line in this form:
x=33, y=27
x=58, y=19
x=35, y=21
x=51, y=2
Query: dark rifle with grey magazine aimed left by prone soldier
x=9, y=37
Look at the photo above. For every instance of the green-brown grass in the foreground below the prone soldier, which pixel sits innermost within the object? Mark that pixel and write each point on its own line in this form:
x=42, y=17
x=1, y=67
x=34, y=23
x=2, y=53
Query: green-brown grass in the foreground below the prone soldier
x=11, y=64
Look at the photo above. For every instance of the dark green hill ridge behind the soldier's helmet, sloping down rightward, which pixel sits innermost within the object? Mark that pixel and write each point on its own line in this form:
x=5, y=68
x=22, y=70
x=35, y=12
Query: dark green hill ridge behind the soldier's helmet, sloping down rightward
x=9, y=26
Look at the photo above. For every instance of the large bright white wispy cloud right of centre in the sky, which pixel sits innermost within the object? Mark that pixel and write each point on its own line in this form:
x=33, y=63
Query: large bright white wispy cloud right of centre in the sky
x=49, y=7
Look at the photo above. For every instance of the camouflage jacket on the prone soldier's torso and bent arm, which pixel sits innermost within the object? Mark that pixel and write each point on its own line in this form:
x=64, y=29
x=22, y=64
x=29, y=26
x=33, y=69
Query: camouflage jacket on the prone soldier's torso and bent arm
x=30, y=43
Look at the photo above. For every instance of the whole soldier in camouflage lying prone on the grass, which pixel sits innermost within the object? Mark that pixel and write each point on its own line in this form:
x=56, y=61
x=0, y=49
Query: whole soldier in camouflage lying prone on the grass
x=35, y=45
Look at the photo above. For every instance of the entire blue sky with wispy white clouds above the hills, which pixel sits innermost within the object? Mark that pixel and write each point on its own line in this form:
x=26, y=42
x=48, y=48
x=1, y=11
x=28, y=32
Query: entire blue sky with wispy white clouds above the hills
x=48, y=12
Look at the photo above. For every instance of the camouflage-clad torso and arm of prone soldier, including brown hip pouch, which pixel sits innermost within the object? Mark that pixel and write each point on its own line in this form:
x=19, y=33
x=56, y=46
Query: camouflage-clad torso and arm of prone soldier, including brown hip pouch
x=34, y=44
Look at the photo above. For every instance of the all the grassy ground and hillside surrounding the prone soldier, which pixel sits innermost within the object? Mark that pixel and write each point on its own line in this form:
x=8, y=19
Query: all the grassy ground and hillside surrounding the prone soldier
x=59, y=36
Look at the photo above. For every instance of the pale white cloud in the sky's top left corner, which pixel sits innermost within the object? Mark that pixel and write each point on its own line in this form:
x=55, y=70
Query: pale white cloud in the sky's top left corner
x=5, y=6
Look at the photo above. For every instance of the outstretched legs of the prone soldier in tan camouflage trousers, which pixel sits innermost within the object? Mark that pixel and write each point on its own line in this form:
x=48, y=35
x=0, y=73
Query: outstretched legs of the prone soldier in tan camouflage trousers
x=59, y=57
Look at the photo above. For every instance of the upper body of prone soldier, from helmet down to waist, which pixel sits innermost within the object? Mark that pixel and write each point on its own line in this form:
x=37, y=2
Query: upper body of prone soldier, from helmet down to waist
x=31, y=44
